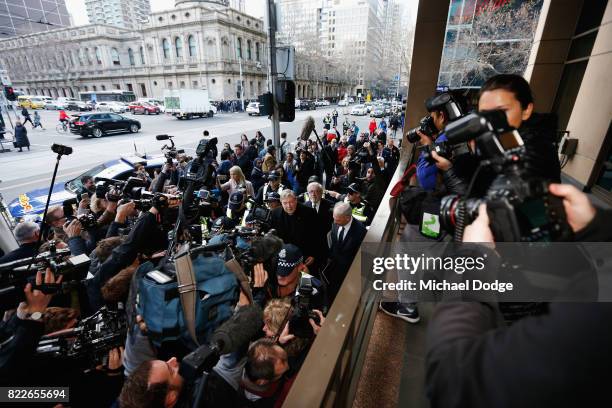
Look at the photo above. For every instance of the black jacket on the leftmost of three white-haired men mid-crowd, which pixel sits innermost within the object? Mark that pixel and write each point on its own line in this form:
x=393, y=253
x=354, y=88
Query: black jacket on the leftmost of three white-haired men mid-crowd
x=300, y=229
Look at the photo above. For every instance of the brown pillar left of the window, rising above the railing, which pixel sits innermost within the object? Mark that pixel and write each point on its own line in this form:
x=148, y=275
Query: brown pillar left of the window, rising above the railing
x=426, y=56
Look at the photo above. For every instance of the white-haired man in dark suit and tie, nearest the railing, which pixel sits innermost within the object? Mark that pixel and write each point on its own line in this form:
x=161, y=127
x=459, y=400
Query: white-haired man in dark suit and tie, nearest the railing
x=344, y=240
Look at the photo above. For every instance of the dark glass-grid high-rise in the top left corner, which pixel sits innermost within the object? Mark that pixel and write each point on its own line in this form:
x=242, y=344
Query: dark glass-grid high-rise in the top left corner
x=20, y=17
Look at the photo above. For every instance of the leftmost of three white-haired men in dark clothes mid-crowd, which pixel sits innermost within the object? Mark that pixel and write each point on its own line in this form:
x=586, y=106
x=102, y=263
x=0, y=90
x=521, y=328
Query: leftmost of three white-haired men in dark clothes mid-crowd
x=297, y=224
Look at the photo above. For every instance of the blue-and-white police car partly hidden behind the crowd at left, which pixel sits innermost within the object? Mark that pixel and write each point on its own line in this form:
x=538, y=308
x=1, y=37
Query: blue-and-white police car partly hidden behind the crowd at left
x=32, y=203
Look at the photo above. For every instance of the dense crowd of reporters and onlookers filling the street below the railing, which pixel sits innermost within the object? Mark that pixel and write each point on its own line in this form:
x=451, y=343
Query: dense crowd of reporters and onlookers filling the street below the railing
x=320, y=198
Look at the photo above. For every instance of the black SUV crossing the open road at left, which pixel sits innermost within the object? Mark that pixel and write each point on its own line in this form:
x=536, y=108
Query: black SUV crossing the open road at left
x=100, y=124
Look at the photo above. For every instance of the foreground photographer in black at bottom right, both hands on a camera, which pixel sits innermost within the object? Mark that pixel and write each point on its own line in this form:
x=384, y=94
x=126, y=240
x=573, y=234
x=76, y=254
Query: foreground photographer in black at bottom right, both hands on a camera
x=467, y=358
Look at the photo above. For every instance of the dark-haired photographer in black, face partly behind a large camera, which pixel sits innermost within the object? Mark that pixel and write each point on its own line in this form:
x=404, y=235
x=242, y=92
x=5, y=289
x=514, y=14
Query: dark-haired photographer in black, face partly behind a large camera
x=512, y=94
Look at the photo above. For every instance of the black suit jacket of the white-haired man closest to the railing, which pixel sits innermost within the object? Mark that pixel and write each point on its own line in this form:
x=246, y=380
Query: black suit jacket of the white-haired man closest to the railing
x=341, y=254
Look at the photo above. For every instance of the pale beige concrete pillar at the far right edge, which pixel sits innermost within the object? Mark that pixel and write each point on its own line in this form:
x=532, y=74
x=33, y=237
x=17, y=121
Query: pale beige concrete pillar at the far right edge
x=590, y=118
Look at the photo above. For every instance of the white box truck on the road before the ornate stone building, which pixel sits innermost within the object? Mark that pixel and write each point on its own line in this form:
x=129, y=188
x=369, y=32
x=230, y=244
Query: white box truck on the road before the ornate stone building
x=188, y=103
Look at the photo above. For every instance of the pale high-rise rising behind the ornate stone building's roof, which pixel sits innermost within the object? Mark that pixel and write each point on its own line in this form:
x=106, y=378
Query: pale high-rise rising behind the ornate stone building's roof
x=120, y=13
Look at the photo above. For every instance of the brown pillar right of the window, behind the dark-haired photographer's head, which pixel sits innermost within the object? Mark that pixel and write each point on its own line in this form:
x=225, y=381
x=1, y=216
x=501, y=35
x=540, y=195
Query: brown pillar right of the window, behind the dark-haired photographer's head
x=552, y=40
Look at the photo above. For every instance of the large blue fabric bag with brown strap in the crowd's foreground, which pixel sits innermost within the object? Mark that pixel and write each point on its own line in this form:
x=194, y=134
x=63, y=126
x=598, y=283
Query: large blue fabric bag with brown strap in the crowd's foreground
x=161, y=306
